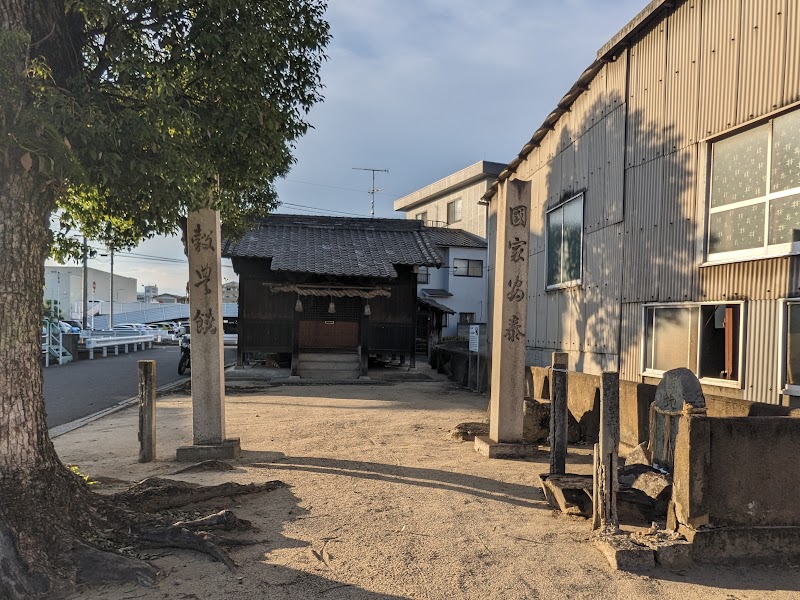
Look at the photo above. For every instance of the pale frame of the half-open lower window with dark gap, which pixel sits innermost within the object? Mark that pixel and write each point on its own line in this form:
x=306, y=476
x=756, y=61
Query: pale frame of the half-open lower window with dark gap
x=657, y=374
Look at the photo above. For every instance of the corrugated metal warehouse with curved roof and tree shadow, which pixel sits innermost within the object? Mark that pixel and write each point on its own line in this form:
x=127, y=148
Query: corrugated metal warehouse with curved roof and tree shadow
x=665, y=203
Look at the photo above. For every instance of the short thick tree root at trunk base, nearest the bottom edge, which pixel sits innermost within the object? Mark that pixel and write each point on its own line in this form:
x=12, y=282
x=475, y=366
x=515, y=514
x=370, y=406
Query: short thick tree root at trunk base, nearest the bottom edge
x=95, y=567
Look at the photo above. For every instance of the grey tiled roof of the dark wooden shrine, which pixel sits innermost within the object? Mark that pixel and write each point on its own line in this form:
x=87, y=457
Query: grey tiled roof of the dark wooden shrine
x=337, y=245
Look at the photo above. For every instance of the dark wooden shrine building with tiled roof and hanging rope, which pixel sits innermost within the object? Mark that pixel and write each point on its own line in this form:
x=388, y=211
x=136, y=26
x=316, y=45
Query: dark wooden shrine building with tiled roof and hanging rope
x=327, y=288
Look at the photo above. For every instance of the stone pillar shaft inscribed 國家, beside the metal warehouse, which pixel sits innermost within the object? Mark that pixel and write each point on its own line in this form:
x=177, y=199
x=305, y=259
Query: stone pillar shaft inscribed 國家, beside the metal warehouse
x=510, y=312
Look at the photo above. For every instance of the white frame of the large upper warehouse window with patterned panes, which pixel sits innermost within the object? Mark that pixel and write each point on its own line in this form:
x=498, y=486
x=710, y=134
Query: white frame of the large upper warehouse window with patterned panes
x=767, y=250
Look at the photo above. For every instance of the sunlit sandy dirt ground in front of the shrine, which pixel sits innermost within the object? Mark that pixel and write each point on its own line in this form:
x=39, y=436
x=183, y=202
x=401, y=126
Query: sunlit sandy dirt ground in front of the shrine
x=382, y=504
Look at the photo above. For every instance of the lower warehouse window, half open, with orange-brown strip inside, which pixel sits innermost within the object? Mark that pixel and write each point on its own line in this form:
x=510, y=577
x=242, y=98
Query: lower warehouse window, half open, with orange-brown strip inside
x=704, y=338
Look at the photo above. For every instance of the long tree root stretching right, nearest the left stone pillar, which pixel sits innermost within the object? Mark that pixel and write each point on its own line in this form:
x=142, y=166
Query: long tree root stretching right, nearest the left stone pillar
x=156, y=494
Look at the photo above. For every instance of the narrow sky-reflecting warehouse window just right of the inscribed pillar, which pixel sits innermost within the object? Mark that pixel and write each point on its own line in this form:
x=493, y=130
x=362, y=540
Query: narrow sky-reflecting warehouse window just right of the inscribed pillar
x=565, y=243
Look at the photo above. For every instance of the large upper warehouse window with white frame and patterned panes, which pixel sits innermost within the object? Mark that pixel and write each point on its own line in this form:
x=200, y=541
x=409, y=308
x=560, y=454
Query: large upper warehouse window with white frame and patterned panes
x=754, y=202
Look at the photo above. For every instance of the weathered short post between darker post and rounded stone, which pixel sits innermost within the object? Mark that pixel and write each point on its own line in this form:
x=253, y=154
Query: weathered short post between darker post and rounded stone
x=605, y=495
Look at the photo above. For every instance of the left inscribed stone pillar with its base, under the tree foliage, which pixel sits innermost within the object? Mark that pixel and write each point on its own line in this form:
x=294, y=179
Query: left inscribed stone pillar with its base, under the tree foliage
x=205, y=310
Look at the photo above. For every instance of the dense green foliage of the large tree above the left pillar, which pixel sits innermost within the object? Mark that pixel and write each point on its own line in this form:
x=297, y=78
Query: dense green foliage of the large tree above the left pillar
x=177, y=105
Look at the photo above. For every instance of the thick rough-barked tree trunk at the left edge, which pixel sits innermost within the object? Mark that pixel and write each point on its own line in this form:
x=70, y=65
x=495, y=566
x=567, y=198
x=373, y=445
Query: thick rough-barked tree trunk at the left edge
x=39, y=497
